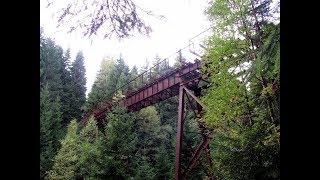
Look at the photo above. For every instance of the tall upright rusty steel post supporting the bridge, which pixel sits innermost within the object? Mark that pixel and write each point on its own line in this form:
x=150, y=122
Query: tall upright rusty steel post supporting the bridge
x=179, y=133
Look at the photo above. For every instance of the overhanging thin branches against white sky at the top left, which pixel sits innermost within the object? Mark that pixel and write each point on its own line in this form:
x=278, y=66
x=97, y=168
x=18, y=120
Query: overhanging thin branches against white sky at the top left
x=109, y=17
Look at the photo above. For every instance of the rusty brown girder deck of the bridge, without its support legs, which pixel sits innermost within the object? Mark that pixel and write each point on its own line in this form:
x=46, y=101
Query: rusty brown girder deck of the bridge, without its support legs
x=158, y=90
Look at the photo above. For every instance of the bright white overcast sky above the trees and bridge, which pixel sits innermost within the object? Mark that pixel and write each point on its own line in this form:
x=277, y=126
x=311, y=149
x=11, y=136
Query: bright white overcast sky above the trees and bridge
x=184, y=19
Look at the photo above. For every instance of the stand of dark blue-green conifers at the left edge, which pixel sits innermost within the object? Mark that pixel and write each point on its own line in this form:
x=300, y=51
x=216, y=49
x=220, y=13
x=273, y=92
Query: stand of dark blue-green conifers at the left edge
x=62, y=94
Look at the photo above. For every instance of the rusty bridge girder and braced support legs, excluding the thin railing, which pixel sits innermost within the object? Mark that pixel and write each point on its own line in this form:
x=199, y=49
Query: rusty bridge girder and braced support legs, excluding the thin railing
x=181, y=81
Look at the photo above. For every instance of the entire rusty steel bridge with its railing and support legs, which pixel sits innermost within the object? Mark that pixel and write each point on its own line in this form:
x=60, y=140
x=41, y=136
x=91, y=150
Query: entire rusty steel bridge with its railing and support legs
x=184, y=82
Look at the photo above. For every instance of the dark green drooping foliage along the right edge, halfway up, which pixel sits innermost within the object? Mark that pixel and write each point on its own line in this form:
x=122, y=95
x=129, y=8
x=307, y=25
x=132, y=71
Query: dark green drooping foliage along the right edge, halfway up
x=266, y=77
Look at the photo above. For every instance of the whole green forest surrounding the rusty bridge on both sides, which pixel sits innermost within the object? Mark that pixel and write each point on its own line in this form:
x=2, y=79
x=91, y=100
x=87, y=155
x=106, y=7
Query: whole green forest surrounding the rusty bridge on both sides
x=242, y=62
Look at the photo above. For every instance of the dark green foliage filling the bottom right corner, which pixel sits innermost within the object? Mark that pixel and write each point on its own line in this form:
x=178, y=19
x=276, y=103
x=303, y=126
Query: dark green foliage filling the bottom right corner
x=251, y=153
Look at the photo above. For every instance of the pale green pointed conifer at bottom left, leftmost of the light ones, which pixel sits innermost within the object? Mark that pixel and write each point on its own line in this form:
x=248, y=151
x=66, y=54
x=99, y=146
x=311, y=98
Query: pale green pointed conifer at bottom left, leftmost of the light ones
x=65, y=162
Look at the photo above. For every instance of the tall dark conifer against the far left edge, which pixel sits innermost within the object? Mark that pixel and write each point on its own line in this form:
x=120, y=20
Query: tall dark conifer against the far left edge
x=52, y=105
